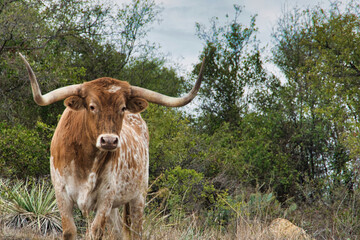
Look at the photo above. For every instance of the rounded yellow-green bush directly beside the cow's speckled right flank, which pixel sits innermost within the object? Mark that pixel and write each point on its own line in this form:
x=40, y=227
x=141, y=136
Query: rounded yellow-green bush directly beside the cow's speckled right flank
x=172, y=142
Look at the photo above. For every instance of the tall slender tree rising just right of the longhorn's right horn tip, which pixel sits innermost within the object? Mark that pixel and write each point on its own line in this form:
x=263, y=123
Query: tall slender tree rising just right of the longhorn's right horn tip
x=233, y=65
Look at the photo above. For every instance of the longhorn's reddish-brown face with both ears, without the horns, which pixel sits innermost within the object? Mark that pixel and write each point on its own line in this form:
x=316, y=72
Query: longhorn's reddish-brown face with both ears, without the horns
x=105, y=102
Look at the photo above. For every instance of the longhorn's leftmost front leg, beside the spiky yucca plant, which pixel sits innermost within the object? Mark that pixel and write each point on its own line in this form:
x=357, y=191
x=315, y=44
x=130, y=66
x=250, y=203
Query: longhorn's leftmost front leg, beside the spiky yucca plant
x=67, y=219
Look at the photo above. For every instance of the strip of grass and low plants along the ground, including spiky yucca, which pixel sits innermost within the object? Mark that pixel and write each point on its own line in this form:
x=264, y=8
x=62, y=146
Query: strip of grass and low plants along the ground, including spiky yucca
x=29, y=207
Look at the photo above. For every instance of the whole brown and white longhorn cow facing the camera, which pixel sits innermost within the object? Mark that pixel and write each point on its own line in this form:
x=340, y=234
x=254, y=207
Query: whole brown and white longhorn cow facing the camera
x=100, y=152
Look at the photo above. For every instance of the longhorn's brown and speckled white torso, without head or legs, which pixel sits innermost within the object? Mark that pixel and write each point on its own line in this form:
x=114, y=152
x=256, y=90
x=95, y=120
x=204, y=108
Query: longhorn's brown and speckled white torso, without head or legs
x=83, y=175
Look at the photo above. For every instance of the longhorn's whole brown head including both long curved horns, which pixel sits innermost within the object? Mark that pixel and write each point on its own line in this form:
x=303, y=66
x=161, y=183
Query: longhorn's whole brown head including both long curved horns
x=105, y=101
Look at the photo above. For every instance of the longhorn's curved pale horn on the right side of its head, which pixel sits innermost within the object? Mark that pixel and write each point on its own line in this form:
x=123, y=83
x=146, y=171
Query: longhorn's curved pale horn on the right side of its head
x=164, y=100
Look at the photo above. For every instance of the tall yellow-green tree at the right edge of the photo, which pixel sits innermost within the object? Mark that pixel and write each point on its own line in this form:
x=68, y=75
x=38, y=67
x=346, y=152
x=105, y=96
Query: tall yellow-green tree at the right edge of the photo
x=318, y=52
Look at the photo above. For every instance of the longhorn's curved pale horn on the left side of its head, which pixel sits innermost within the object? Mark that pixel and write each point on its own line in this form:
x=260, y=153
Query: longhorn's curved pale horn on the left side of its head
x=53, y=96
